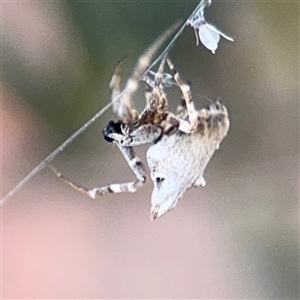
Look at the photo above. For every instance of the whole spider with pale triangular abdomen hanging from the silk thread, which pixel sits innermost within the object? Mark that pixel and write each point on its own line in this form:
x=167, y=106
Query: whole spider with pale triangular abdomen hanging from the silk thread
x=181, y=144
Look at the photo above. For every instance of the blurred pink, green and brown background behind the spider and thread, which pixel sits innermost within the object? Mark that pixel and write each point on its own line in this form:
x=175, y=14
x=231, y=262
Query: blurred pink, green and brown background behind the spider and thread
x=237, y=238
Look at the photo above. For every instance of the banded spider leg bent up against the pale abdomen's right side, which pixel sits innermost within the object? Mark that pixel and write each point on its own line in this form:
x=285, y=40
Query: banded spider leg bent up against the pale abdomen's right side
x=191, y=125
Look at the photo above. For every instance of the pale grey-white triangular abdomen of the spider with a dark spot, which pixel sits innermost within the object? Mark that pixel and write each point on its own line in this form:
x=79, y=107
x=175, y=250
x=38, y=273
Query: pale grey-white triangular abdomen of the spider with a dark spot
x=181, y=158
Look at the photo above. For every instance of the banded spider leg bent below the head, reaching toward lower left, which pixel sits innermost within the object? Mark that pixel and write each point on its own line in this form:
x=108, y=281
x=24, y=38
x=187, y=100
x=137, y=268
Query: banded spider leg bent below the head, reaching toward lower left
x=135, y=164
